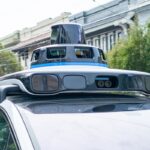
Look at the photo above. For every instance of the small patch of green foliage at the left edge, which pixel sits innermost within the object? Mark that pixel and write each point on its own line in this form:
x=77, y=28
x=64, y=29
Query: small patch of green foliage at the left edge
x=8, y=63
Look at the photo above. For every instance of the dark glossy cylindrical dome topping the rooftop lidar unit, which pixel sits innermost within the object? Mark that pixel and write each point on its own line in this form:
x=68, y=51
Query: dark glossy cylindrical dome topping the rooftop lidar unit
x=67, y=34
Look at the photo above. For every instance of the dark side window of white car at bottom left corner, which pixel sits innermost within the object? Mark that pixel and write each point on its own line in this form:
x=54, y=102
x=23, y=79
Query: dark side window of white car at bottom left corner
x=7, y=141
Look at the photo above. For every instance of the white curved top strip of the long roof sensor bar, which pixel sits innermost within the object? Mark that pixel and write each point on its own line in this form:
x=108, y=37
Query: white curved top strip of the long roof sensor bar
x=78, y=69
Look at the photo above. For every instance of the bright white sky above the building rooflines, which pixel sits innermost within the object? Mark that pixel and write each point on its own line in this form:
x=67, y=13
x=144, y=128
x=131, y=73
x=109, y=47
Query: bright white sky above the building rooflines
x=18, y=14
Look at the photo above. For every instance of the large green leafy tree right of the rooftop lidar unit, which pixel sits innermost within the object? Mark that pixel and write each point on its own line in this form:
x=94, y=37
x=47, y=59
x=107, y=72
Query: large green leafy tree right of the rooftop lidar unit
x=132, y=52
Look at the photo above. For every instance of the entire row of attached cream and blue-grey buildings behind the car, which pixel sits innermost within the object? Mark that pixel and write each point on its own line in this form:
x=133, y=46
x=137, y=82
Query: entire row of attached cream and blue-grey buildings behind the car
x=103, y=25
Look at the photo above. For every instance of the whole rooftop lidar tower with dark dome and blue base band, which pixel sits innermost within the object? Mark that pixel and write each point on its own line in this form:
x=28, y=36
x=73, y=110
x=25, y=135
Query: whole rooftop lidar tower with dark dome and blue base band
x=68, y=47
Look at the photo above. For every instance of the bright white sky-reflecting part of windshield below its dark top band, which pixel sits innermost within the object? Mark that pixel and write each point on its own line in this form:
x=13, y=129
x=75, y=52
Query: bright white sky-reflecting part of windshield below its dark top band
x=92, y=131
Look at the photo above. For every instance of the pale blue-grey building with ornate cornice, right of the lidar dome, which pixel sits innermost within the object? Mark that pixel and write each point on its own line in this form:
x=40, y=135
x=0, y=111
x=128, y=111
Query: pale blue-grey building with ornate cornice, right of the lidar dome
x=105, y=24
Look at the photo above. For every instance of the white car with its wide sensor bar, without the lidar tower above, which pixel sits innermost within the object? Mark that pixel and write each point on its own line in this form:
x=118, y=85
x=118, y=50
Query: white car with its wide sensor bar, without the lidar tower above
x=75, y=108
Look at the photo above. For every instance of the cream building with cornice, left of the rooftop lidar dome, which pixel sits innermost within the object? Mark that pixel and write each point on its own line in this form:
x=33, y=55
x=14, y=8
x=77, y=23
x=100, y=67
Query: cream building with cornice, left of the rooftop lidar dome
x=25, y=41
